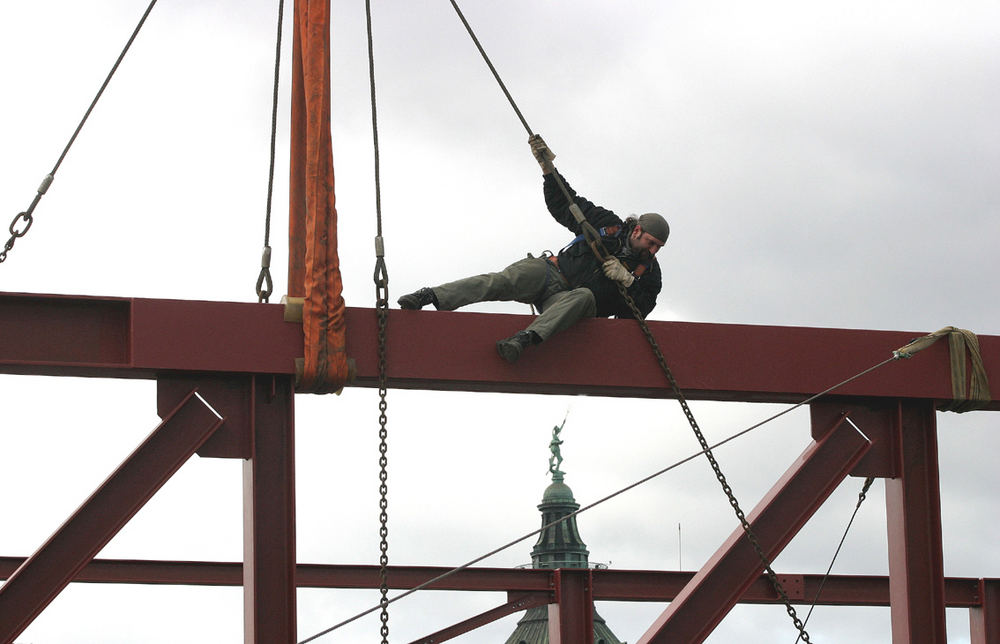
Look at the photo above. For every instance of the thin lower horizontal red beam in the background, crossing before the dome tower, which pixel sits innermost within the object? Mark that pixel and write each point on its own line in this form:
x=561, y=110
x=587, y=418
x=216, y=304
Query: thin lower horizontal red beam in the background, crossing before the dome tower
x=609, y=585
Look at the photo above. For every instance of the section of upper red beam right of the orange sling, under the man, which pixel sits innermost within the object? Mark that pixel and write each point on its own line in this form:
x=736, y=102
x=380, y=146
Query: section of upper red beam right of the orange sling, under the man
x=710, y=361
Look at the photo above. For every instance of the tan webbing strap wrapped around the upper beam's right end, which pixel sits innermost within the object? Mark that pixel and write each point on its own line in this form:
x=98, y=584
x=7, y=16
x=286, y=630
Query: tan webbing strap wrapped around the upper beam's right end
x=965, y=397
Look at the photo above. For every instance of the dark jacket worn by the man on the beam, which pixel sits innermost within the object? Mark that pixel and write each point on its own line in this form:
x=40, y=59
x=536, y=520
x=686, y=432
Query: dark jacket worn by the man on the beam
x=581, y=268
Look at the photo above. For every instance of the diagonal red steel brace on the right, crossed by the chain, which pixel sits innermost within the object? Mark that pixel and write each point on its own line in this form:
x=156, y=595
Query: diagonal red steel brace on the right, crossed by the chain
x=718, y=586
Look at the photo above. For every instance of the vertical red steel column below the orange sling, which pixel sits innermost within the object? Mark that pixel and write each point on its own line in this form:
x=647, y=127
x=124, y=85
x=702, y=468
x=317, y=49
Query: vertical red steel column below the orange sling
x=269, y=516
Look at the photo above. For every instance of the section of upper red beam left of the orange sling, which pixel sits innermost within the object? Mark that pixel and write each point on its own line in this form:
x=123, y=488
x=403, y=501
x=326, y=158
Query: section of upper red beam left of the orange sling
x=142, y=338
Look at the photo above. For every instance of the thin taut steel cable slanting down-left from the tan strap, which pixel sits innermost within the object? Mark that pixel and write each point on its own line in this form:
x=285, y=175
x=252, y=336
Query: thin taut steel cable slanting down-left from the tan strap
x=598, y=502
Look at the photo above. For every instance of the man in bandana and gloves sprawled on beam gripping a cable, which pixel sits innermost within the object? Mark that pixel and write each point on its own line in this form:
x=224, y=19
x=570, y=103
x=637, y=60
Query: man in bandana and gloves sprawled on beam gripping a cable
x=572, y=284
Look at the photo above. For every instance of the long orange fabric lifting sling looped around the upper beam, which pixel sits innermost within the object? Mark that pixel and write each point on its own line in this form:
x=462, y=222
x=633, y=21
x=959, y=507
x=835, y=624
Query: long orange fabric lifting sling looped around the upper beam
x=313, y=263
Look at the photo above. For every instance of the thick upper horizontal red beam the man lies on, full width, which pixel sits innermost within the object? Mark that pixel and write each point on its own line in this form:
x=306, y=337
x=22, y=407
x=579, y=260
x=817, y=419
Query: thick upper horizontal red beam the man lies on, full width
x=454, y=351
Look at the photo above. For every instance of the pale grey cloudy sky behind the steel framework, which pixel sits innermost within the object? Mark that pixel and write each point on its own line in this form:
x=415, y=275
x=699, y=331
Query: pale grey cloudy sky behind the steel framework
x=827, y=165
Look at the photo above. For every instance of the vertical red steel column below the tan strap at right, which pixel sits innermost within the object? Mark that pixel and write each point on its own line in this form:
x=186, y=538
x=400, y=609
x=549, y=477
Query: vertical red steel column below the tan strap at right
x=913, y=515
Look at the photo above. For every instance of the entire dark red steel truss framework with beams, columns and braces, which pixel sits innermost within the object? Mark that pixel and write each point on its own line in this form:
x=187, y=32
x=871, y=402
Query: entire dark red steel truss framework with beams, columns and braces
x=223, y=394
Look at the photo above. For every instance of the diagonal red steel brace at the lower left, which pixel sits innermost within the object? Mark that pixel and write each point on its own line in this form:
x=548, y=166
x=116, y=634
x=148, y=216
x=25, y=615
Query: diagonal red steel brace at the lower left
x=43, y=575
